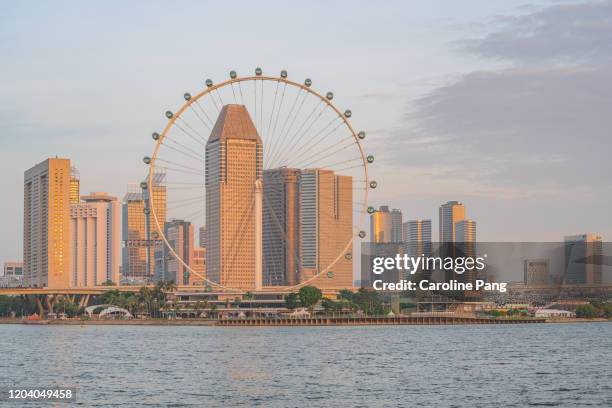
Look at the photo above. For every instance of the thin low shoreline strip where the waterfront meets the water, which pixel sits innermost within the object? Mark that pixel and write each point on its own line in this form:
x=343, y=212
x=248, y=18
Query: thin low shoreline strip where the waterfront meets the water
x=295, y=322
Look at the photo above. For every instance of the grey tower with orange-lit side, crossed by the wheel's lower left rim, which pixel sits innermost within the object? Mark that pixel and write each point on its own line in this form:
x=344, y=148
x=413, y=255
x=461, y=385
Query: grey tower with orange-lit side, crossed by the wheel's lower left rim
x=168, y=265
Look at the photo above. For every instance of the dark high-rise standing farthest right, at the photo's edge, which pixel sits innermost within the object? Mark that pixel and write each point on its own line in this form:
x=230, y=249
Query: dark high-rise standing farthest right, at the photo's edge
x=583, y=259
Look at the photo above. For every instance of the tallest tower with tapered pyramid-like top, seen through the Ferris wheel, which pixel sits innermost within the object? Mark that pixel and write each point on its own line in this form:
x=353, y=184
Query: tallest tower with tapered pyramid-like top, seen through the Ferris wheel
x=234, y=167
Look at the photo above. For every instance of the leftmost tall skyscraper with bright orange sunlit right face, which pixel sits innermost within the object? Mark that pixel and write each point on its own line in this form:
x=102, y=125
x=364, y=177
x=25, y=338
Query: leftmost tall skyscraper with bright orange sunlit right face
x=46, y=224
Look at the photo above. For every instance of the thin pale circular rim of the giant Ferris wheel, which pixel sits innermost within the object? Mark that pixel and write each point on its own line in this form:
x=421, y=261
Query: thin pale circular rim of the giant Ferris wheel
x=210, y=88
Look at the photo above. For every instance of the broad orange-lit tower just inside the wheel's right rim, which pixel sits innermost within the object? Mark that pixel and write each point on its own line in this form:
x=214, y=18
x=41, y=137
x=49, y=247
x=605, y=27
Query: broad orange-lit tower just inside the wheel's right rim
x=326, y=208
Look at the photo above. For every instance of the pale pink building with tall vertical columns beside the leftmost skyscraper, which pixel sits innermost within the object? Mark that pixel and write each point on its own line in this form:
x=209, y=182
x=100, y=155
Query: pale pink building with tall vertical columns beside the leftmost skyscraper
x=95, y=240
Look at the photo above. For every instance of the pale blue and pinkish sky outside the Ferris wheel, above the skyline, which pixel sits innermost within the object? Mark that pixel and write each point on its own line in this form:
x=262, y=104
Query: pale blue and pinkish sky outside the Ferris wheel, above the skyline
x=503, y=105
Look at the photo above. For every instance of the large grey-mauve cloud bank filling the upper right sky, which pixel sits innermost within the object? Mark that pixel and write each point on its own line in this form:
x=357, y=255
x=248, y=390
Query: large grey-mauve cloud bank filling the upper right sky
x=539, y=126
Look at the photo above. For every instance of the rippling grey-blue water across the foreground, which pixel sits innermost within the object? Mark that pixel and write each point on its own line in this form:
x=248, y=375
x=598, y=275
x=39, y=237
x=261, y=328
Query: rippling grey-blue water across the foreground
x=561, y=365
